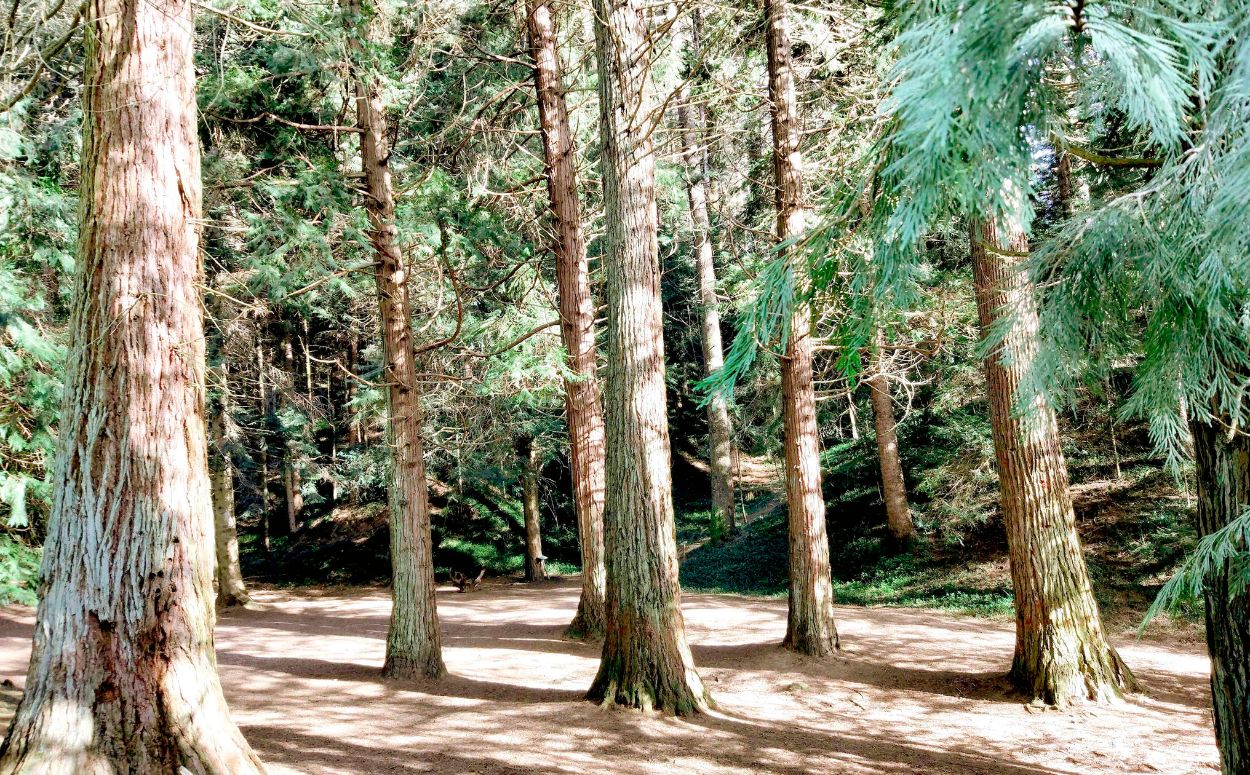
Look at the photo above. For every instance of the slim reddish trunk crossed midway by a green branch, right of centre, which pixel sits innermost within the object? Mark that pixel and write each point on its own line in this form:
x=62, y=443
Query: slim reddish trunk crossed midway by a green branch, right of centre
x=811, y=629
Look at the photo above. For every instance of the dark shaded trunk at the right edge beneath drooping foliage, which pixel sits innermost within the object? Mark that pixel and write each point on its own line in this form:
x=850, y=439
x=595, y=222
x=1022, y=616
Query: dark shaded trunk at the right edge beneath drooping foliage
x=1223, y=467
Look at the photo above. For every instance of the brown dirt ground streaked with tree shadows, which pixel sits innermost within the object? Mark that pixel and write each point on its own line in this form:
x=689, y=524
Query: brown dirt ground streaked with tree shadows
x=913, y=692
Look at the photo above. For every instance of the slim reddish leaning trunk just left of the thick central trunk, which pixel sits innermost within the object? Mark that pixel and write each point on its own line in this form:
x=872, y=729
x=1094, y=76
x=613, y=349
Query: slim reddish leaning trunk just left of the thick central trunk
x=583, y=407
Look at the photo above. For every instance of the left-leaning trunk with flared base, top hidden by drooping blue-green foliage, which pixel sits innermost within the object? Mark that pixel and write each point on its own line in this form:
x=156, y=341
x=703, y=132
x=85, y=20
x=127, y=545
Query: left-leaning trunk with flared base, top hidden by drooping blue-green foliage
x=1062, y=654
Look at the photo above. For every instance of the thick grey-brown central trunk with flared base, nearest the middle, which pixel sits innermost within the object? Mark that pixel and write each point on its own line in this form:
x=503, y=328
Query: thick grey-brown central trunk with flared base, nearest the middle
x=647, y=662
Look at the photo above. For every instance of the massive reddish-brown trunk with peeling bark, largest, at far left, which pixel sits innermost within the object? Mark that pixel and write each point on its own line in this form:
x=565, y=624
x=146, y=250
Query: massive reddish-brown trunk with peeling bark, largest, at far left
x=123, y=676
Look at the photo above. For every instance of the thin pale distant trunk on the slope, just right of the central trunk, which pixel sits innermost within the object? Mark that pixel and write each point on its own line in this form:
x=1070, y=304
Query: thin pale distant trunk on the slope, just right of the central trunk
x=692, y=121
